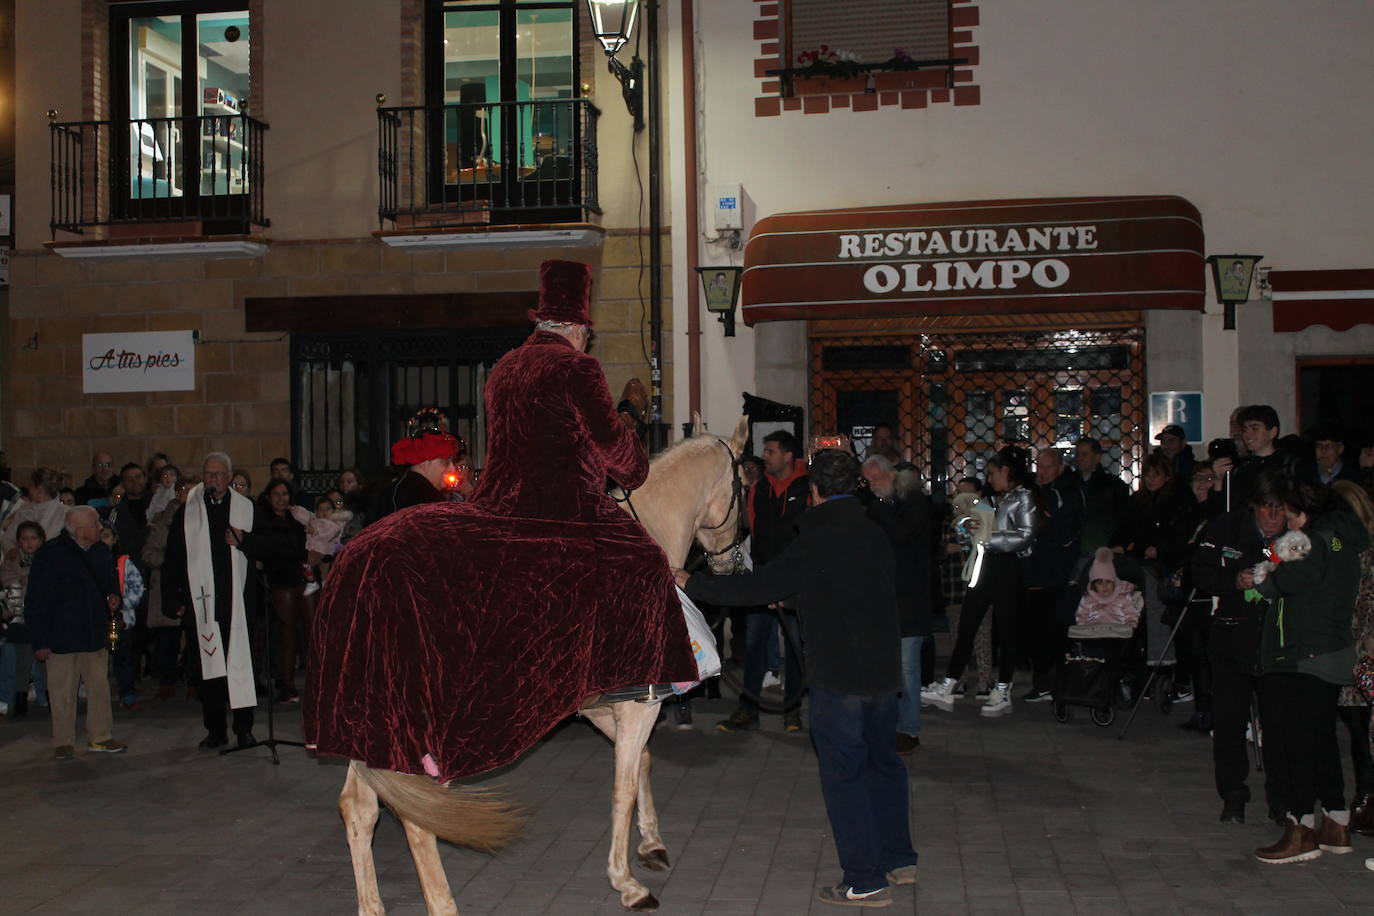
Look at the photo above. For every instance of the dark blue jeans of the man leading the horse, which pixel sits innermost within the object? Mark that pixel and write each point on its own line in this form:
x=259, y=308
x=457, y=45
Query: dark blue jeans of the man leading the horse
x=865, y=785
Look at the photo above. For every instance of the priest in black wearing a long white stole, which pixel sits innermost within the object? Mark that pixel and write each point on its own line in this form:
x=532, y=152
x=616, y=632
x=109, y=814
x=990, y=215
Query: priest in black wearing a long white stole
x=211, y=580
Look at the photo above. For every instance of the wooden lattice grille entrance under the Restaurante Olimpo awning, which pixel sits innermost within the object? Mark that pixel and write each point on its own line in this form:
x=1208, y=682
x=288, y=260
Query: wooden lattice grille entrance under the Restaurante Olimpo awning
x=956, y=399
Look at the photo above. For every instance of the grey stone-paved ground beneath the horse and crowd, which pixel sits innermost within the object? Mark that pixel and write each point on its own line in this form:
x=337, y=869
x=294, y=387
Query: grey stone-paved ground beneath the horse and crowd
x=1012, y=816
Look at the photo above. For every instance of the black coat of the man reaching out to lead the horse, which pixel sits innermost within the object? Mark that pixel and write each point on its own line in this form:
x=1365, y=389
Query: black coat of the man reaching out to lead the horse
x=842, y=571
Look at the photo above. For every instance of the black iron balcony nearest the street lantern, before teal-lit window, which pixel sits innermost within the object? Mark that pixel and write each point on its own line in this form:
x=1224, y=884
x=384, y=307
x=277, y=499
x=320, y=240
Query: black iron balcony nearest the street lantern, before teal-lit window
x=491, y=164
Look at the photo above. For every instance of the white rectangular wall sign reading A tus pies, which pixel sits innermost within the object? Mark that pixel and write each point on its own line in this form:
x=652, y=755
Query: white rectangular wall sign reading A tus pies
x=142, y=362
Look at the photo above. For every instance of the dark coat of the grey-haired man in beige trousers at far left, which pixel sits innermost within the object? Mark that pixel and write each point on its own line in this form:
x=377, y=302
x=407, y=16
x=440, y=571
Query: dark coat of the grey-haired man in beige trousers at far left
x=67, y=606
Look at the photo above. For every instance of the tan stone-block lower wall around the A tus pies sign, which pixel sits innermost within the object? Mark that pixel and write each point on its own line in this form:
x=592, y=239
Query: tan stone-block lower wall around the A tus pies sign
x=243, y=399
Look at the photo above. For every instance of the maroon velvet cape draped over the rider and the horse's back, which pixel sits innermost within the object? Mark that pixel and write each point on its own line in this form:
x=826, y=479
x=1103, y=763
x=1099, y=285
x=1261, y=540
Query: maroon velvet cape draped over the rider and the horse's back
x=466, y=631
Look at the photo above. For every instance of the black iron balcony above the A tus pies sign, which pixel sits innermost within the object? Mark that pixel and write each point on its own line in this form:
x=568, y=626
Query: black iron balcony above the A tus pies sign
x=160, y=178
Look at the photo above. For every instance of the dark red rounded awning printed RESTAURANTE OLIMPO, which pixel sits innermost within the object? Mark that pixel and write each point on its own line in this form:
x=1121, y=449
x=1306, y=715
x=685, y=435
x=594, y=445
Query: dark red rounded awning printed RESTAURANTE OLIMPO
x=1057, y=255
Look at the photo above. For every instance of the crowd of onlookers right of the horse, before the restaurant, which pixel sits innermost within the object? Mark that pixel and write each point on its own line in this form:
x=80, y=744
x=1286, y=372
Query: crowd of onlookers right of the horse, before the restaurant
x=1041, y=547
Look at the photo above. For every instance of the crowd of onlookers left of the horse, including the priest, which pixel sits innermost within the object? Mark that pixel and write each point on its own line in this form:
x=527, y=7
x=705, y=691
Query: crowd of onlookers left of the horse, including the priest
x=138, y=571
